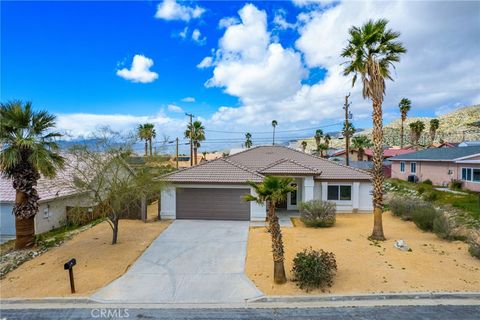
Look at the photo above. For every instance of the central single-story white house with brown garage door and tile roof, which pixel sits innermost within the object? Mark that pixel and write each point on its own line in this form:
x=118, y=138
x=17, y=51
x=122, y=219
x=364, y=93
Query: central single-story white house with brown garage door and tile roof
x=215, y=189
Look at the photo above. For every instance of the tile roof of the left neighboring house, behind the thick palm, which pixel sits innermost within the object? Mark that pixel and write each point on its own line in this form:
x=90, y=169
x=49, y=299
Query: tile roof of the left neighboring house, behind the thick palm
x=47, y=189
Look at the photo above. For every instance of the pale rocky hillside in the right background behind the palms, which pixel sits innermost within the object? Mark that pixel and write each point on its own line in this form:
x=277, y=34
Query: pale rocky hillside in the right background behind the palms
x=456, y=126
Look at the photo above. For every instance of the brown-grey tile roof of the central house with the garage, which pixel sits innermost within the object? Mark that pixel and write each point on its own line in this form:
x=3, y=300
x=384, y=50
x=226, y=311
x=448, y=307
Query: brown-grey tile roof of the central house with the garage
x=250, y=164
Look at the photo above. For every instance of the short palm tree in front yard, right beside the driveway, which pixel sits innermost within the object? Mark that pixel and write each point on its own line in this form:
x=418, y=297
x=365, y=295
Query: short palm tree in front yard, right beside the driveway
x=272, y=191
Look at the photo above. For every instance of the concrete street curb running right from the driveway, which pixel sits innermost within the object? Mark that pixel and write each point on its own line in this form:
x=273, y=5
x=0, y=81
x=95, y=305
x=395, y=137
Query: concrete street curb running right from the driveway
x=370, y=297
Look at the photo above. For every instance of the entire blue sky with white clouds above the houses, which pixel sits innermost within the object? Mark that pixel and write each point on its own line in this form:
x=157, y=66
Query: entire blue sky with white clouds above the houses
x=235, y=65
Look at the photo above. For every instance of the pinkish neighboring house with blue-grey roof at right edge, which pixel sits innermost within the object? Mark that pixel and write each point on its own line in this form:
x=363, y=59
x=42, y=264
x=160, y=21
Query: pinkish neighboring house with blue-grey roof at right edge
x=441, y=166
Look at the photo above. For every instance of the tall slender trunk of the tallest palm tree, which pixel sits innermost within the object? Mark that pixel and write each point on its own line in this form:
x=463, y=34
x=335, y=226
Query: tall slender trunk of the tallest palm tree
x=378, y=177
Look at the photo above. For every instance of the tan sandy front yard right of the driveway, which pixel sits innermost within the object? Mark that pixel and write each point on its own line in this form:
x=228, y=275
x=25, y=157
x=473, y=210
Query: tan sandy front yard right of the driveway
x=365, y=266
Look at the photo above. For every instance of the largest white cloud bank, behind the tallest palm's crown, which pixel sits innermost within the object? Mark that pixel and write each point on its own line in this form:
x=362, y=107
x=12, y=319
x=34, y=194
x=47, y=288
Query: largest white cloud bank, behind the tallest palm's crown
x=437, y=70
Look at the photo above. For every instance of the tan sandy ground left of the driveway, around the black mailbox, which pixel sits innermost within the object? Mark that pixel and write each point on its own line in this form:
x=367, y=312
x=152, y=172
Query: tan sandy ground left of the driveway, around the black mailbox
x=98, y=262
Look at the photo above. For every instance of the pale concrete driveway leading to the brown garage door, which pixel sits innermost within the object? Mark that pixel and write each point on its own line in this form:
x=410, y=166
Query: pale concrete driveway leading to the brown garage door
x=193, y=261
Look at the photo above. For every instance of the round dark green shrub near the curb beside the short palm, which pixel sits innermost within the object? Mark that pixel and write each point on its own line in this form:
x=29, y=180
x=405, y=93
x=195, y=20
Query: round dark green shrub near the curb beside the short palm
x=314, y=269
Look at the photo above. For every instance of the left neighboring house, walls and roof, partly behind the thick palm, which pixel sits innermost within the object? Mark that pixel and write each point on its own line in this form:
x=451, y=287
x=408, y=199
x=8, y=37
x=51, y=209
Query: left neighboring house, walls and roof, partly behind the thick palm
x=56, y=195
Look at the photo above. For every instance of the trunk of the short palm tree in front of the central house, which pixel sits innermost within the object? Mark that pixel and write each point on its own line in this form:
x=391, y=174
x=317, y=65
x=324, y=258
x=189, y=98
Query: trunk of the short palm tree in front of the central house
x=279, y=276
